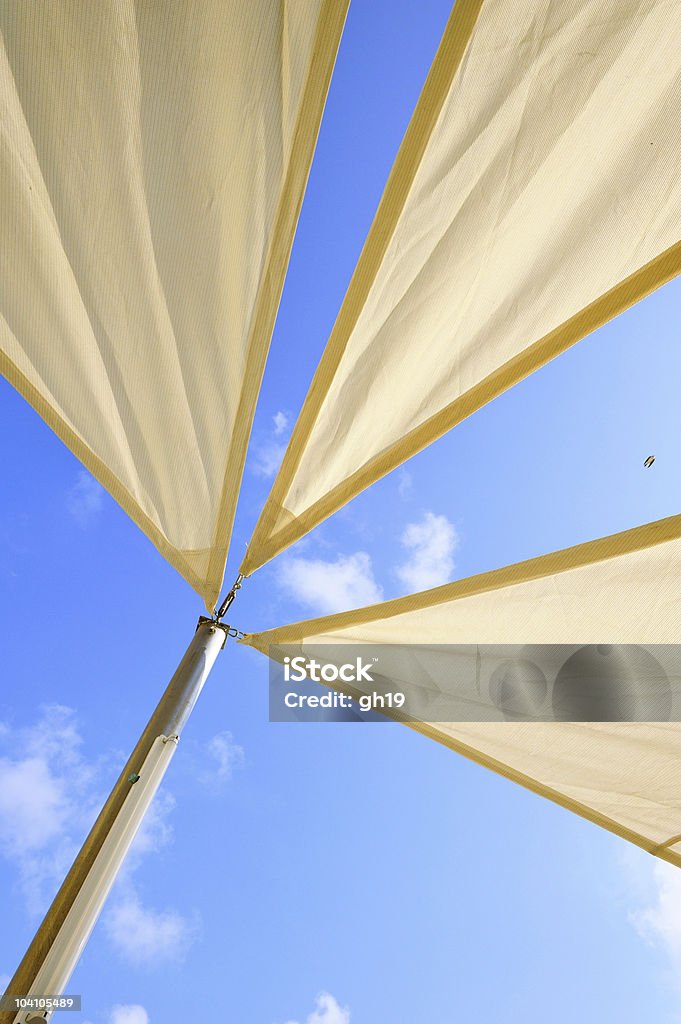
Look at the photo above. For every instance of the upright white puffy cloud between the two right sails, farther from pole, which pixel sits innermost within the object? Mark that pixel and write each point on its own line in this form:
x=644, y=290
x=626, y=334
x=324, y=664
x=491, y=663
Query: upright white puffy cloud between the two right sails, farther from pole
x=432, y=544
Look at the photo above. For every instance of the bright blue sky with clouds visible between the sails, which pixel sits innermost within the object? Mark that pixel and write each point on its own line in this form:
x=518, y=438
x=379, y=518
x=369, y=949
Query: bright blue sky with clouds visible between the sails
x=334, y=874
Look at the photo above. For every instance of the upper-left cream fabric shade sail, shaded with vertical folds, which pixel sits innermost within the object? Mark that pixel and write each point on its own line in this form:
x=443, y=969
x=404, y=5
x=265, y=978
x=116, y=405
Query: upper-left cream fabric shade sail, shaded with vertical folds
x=153, y=163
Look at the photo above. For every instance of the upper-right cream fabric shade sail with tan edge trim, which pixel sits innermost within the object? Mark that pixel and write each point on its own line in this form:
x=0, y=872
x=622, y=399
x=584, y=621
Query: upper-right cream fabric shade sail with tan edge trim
x=536, y=196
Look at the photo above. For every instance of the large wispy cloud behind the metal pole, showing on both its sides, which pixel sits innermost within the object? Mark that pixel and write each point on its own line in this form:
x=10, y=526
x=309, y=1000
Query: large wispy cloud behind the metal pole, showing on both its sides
x=50, y=796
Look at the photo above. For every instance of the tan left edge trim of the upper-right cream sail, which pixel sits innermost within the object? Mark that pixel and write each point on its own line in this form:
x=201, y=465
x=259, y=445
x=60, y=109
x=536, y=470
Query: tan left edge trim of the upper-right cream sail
x=447, y=62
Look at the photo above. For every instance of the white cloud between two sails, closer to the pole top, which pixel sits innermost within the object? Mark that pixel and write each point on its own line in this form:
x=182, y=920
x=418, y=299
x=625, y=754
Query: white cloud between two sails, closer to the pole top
x=326, y=587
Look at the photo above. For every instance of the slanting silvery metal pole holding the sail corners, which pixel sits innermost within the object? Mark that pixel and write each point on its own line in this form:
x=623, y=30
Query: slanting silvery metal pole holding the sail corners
x=53, y=956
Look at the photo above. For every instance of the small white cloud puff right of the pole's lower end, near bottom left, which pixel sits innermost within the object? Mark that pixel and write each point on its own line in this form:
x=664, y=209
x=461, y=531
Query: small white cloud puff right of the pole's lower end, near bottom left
x=148, y=937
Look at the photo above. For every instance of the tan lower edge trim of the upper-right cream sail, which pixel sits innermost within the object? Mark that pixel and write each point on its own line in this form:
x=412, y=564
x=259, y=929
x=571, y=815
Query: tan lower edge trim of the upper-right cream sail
x=656, y=274
